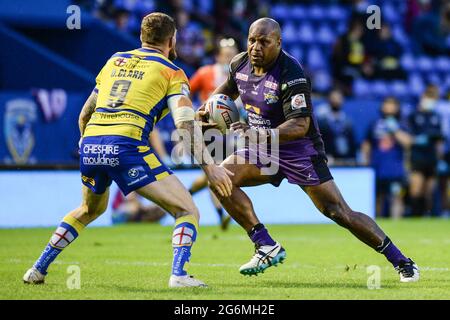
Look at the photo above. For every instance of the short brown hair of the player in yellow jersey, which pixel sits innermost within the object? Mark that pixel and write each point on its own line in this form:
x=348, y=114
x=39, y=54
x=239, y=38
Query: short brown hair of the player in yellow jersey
x=157, y=28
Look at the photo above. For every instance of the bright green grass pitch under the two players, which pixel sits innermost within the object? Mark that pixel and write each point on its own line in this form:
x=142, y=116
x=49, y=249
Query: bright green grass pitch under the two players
x=323, y=262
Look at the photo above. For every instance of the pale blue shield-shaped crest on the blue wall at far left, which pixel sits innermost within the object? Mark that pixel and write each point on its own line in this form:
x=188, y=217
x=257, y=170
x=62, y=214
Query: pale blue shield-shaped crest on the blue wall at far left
x=18, y=128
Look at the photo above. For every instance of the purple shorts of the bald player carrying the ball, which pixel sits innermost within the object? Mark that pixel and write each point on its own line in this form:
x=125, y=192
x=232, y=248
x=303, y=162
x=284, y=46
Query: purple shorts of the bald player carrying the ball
x=300, y=170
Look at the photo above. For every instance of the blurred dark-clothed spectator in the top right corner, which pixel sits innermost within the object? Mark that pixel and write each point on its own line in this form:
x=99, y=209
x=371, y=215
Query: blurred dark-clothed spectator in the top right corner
x=432, y=31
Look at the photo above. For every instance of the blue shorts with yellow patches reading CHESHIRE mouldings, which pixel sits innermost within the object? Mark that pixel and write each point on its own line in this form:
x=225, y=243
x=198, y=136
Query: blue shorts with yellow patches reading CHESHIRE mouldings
x=128, y=162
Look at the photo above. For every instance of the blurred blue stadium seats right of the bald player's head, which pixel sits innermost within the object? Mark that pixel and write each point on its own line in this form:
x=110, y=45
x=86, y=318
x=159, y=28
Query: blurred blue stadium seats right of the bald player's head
x=308, y=29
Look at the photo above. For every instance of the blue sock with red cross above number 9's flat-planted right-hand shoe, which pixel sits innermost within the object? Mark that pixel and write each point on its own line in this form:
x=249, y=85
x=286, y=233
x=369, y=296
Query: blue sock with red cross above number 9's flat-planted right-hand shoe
x=183, y=237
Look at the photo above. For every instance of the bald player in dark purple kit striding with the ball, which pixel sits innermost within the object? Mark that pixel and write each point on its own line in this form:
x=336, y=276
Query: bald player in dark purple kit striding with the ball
x=277, y=97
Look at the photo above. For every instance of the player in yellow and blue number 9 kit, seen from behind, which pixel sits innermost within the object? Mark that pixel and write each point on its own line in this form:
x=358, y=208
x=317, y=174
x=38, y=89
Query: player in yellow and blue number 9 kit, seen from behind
x=134, y=90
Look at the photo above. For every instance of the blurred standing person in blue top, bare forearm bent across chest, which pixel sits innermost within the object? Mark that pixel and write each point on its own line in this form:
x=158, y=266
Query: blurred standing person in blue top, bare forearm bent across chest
x=384, y=150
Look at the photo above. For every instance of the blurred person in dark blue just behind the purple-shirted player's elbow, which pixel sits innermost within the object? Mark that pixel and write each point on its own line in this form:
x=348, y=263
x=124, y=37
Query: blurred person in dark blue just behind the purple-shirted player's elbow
x=337, y=132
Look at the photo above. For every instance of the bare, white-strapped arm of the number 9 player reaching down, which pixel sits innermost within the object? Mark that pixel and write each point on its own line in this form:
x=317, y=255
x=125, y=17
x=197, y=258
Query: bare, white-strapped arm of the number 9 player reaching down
x=183, y=115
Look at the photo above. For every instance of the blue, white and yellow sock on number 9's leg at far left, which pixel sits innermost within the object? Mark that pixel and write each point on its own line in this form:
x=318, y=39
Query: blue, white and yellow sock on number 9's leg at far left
x=64, y=235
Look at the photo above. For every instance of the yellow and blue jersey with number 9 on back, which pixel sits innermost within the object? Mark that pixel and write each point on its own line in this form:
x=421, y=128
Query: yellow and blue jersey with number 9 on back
x=133, y=88
